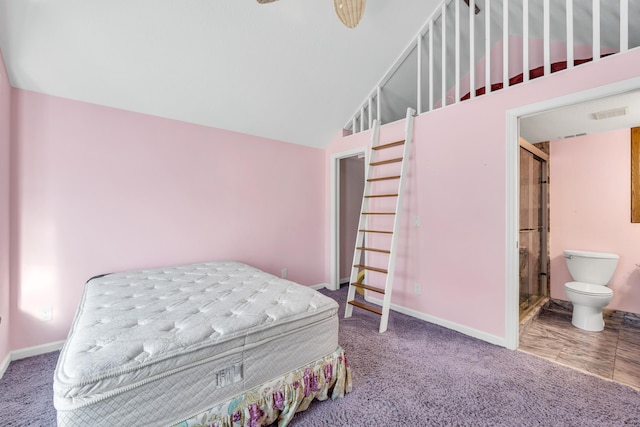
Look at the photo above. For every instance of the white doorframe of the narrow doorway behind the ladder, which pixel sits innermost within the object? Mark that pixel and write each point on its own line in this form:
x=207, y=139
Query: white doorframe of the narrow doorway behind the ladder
x=335, y=210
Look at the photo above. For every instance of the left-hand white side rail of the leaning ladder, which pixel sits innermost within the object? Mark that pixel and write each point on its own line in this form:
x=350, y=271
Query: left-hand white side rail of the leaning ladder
x=363, y=221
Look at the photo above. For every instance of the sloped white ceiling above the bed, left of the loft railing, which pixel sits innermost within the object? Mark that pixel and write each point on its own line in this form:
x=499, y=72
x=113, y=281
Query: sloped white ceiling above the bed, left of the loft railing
x=288, y=70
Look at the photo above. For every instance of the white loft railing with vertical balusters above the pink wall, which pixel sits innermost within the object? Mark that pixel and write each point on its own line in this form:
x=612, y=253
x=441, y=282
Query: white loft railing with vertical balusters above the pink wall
x=468, y=48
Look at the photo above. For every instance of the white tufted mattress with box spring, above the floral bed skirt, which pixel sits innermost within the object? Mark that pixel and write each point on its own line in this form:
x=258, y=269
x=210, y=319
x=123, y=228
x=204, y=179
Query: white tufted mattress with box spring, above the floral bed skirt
x=152, y=347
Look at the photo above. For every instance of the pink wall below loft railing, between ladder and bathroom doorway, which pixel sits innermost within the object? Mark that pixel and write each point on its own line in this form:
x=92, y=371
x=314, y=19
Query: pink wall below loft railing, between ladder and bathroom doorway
x=457, y=188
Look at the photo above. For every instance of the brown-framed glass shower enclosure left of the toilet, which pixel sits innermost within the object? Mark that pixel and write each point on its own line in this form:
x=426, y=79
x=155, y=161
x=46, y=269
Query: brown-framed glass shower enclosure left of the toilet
x=534, y=227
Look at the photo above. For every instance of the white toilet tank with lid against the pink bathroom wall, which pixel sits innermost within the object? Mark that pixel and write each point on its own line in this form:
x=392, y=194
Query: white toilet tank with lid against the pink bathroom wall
x=591, y=267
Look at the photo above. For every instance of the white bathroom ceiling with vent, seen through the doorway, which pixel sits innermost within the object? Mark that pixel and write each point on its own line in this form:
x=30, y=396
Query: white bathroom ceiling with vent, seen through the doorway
x=579, y=119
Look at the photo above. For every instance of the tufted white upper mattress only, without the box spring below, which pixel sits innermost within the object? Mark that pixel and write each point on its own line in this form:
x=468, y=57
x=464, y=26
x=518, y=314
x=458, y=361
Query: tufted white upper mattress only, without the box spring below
x=135, y=327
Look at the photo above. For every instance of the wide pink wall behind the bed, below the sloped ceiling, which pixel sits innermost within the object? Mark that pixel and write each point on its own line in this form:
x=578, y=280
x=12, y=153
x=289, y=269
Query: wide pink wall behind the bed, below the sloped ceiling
x=98, y=190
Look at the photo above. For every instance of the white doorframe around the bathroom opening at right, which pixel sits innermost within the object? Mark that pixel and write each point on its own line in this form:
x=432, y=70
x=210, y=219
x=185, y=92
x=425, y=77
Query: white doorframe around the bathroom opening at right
x=512, y=169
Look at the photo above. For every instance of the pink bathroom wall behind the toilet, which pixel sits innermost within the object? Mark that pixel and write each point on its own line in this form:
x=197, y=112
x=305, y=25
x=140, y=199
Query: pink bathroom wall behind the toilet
x=591, y=210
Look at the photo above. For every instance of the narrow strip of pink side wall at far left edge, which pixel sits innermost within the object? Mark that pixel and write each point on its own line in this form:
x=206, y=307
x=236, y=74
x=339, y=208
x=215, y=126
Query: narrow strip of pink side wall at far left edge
x=5, y=107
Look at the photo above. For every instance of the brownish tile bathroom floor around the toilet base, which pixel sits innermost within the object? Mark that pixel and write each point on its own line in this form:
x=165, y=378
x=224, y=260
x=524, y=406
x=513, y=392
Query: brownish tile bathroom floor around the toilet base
x=613, y=354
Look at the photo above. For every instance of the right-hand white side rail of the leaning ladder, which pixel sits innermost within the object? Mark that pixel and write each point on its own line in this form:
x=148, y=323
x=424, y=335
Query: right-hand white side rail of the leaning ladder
x=386, y=303
